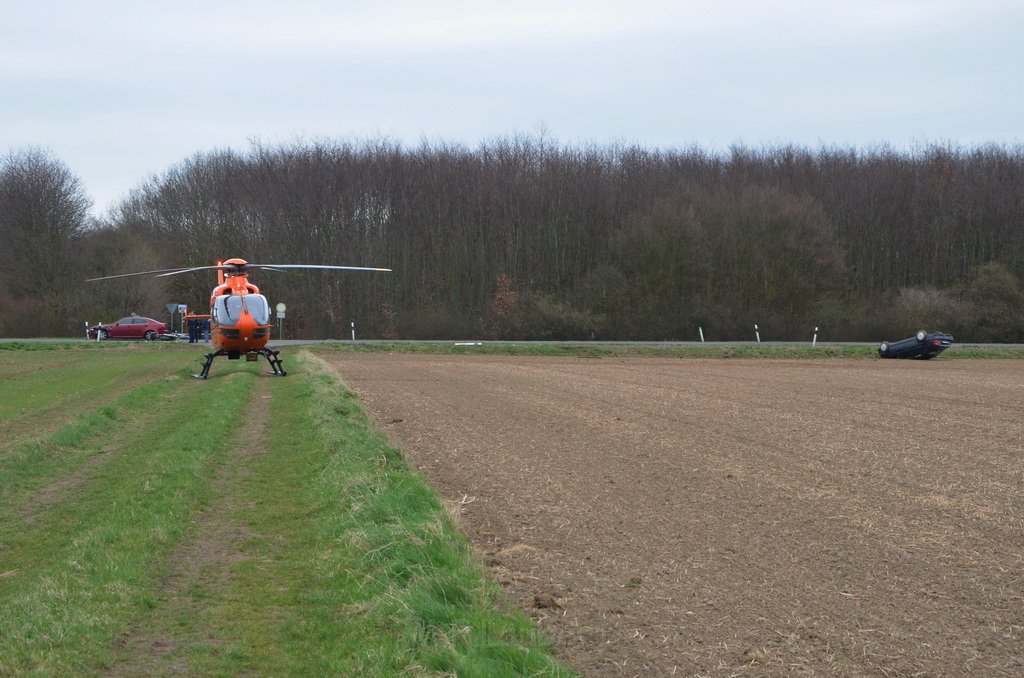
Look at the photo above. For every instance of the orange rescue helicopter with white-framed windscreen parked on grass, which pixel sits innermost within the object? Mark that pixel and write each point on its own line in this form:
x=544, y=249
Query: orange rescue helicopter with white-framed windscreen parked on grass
x=240, y=316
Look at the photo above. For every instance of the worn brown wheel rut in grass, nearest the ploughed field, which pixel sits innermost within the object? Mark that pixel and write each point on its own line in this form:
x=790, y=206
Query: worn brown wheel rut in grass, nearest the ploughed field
x=199, y=569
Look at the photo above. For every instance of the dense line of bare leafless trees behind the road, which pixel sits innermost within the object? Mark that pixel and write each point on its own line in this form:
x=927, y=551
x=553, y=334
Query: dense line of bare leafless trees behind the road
x=524, y=238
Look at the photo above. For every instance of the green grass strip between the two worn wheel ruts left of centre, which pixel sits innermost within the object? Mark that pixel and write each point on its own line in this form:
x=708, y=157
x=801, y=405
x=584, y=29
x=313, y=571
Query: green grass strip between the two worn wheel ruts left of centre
x=74, y=582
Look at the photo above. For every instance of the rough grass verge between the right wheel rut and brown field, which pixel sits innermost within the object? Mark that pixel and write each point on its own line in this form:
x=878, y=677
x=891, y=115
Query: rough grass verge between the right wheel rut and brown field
x=354, y=566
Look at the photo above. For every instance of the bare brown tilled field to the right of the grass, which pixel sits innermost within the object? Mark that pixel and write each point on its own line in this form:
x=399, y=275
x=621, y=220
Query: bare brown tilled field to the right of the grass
x=733, y=518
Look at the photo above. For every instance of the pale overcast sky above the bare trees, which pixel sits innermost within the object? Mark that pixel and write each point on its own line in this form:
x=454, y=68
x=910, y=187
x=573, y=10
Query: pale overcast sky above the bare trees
x=120, y=92
